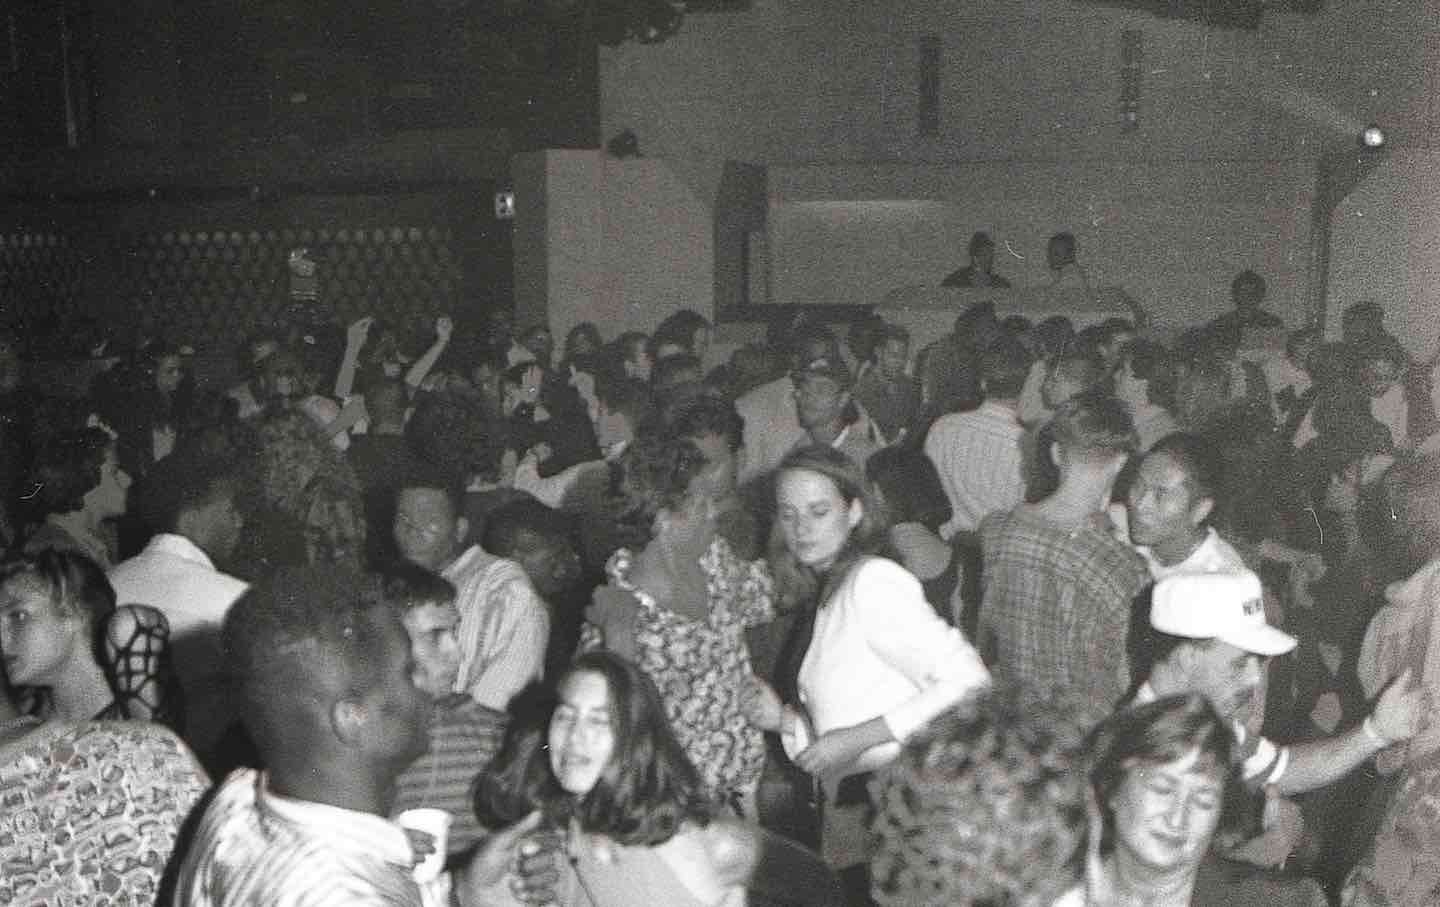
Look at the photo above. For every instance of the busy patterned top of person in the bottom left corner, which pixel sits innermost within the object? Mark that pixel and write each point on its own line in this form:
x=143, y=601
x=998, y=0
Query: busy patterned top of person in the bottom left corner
x=90, y=813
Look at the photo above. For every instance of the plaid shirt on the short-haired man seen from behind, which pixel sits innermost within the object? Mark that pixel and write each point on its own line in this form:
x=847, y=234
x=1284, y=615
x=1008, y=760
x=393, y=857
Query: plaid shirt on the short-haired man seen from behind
x=1058, y=605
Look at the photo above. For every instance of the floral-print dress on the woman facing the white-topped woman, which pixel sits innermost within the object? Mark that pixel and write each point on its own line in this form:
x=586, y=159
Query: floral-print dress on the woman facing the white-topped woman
x=702, y=667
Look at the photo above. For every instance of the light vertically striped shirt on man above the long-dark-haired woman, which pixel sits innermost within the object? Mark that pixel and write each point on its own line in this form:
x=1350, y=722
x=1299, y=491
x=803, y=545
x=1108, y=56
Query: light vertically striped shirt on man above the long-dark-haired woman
x=505, y=627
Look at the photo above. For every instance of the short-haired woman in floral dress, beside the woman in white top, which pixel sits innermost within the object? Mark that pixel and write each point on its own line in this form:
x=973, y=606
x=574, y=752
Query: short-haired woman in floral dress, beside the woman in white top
x=679, y=604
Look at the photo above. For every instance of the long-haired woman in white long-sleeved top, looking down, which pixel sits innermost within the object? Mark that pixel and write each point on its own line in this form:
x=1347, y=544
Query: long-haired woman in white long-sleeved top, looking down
x=878, y=664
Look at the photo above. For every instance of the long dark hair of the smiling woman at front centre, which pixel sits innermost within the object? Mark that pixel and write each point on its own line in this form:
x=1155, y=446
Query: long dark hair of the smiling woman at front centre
x=643, y=797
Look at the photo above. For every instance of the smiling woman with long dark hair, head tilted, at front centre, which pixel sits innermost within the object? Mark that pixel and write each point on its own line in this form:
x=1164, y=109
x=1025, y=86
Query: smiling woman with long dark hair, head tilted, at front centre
x=637, y=827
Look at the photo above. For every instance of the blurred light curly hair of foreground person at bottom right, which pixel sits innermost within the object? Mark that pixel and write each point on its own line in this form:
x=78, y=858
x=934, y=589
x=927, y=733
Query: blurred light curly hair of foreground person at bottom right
x=987, y=806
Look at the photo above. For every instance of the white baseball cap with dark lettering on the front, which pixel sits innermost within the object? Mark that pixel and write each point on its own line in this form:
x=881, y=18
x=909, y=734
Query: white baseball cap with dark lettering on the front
x=1228, y=607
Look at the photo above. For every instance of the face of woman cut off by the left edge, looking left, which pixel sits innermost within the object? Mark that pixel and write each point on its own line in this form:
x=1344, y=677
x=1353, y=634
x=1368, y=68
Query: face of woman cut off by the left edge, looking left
x=37, y=636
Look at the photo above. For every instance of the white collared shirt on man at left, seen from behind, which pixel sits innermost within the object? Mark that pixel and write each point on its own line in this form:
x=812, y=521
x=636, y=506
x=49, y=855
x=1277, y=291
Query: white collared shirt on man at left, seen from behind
x=176, y=578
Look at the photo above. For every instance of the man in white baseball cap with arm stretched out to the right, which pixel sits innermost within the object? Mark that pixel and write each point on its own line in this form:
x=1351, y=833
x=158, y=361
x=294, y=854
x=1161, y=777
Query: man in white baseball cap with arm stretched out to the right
x=1210, y=637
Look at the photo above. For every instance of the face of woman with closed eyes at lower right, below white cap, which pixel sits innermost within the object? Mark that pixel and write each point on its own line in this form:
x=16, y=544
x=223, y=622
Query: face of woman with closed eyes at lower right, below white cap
x=1167, y=814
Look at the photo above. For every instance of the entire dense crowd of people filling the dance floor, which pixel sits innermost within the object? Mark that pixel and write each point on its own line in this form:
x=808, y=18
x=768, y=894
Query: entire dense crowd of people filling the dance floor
x=1033, y=615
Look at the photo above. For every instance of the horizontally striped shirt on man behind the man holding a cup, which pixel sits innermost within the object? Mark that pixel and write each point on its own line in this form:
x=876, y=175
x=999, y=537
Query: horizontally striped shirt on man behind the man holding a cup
x=464, y=739
